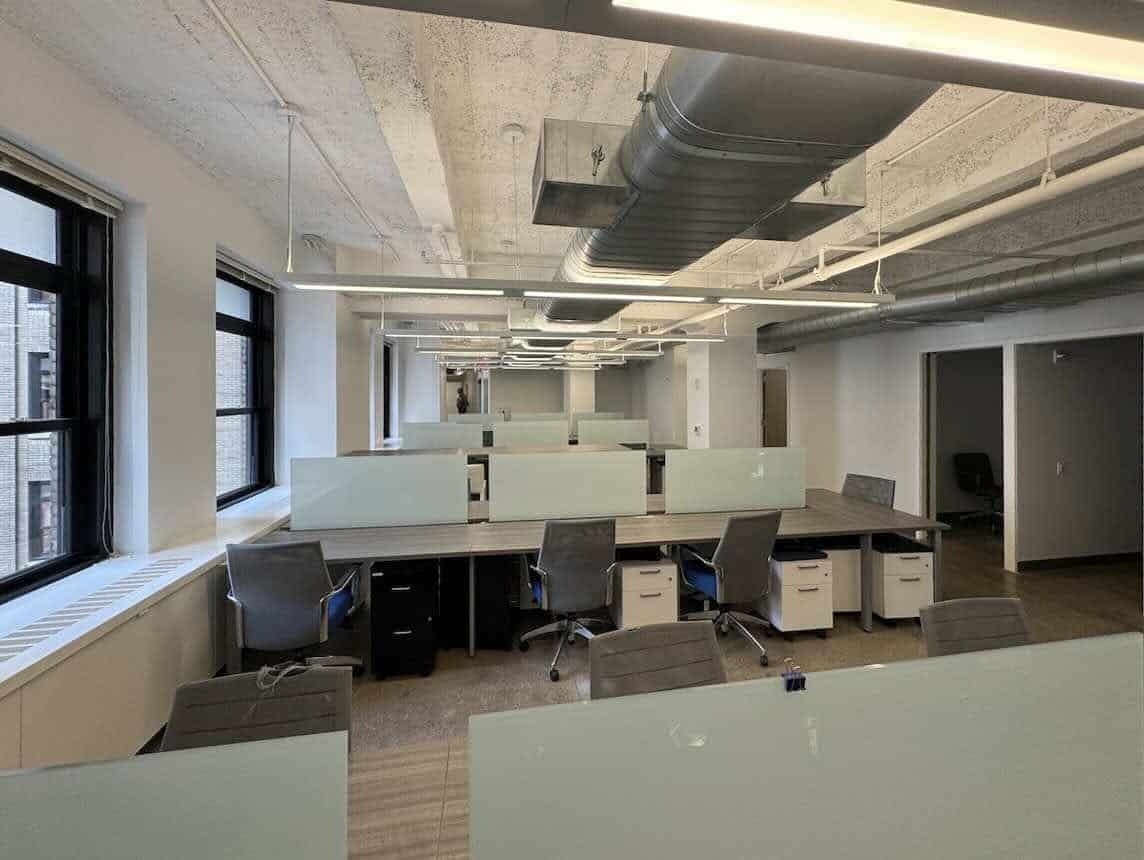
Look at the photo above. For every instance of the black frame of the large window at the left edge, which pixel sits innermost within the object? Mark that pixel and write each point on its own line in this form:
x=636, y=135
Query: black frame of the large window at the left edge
x=81, y=280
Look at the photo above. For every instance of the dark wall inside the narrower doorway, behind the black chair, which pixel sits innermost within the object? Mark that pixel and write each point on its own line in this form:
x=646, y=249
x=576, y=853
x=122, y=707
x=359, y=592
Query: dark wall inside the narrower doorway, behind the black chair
x=968, y=419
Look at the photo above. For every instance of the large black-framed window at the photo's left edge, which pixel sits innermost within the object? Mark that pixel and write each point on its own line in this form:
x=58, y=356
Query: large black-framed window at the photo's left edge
x=55, y=264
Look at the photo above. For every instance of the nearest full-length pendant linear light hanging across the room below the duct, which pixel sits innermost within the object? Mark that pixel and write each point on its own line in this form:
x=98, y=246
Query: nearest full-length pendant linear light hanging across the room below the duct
x=494, y=288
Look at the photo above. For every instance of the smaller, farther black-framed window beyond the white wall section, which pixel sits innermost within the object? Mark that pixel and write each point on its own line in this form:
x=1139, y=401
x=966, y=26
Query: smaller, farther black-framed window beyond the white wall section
x=244, y=391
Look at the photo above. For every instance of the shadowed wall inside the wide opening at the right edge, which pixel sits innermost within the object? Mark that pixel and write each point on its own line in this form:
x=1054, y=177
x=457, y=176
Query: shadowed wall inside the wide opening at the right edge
x=1084, y=413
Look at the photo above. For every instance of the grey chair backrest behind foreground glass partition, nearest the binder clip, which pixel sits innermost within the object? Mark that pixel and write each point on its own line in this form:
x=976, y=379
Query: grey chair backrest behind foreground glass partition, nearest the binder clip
x=658, y=657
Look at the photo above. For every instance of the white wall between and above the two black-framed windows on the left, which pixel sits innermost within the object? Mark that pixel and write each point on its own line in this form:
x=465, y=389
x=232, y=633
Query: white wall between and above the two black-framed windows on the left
x=164, y=286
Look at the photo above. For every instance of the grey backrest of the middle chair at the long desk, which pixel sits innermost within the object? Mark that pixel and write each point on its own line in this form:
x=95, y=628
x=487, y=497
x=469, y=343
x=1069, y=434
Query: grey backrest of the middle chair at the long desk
x=577, y=554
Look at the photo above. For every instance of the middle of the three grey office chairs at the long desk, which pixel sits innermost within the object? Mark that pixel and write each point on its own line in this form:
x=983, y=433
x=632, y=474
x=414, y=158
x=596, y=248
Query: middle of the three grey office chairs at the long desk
x=573, y=575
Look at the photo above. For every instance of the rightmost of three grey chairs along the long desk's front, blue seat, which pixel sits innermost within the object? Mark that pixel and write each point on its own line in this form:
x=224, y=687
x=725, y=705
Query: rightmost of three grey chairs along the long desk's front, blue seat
x=738, y=574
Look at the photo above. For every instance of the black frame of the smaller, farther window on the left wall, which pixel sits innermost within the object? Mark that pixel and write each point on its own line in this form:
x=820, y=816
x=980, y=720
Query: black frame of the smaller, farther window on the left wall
x=260, y=330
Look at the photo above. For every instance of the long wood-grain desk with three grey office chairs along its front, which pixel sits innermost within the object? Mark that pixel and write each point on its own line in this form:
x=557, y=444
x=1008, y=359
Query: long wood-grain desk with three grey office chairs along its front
x=827, y=515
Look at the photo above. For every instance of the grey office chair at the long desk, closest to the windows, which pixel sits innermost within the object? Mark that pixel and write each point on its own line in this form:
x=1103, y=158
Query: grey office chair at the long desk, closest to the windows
x=283, y=599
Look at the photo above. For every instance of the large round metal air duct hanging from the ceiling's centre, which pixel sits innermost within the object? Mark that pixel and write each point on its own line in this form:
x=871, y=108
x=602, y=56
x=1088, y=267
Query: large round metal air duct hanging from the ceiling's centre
x=722, y=148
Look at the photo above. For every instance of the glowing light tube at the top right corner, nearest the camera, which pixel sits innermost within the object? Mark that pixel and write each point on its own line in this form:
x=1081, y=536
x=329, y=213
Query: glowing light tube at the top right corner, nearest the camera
x=927, y=29
